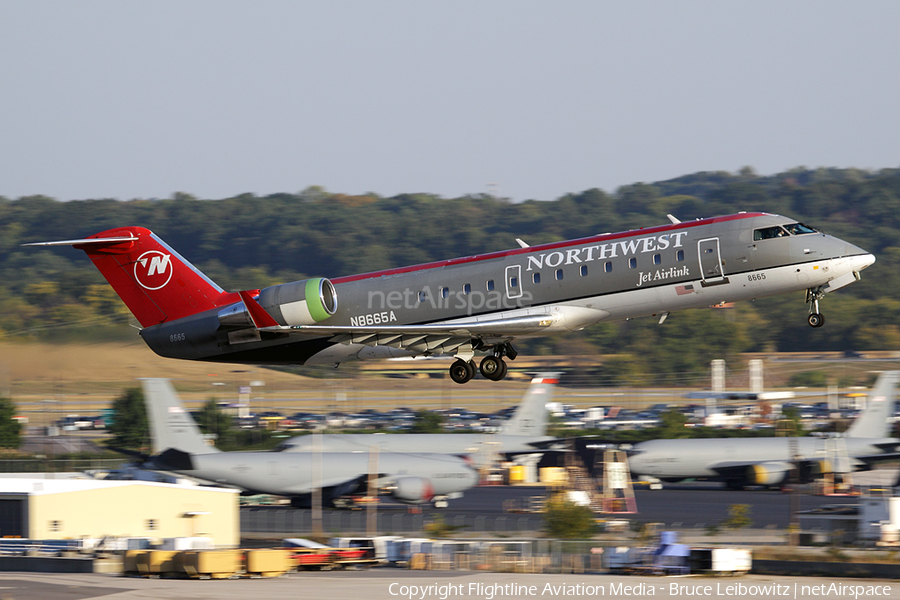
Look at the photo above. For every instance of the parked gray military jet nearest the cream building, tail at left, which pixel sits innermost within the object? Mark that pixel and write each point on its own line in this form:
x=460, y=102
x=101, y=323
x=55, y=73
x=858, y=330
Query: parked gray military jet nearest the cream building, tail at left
x=179, y=447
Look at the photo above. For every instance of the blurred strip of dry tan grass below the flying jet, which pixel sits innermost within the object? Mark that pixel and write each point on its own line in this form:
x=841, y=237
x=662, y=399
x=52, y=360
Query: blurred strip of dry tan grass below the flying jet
x=49, y=380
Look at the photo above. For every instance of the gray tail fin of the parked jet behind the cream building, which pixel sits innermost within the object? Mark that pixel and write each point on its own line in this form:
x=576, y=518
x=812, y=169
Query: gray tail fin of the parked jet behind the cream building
x=171, y=426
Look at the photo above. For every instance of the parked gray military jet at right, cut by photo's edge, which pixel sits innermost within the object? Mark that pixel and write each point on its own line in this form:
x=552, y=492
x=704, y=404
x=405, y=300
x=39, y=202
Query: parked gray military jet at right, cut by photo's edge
x=769, y=461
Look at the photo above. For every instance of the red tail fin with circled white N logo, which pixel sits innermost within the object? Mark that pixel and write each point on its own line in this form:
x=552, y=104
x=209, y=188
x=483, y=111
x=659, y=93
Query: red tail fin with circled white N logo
x=153, y=280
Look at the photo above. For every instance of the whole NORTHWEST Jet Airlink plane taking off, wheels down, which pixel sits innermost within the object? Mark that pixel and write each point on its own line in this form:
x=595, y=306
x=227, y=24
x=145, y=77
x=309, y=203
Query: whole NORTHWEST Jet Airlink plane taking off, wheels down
x=474, y=304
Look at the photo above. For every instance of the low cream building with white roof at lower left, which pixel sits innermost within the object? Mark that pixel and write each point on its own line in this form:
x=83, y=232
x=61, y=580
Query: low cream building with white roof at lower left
x=43, y=509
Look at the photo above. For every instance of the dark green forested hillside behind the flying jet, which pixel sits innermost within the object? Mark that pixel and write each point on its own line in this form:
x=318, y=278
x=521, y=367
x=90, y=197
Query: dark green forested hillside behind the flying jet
x=249, y=241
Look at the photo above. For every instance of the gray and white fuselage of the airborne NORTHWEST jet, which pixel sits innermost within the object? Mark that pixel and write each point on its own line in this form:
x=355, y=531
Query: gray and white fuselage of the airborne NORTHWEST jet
x=573, y=284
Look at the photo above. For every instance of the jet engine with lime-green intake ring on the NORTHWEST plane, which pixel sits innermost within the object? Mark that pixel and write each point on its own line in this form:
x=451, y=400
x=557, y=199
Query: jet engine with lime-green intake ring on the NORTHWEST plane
x=300, y=303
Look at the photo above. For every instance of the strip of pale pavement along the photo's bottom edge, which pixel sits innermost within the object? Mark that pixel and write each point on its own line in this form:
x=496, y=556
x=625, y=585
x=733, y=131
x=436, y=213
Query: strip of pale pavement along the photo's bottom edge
x=397, y=584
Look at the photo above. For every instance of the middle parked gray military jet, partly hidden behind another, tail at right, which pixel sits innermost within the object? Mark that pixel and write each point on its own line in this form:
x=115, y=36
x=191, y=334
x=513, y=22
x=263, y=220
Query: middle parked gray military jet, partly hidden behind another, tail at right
x=524, y=433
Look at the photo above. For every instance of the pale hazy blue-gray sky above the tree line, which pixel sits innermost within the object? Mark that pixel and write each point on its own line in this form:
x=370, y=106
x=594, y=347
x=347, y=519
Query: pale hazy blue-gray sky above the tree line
x=125, y=99
